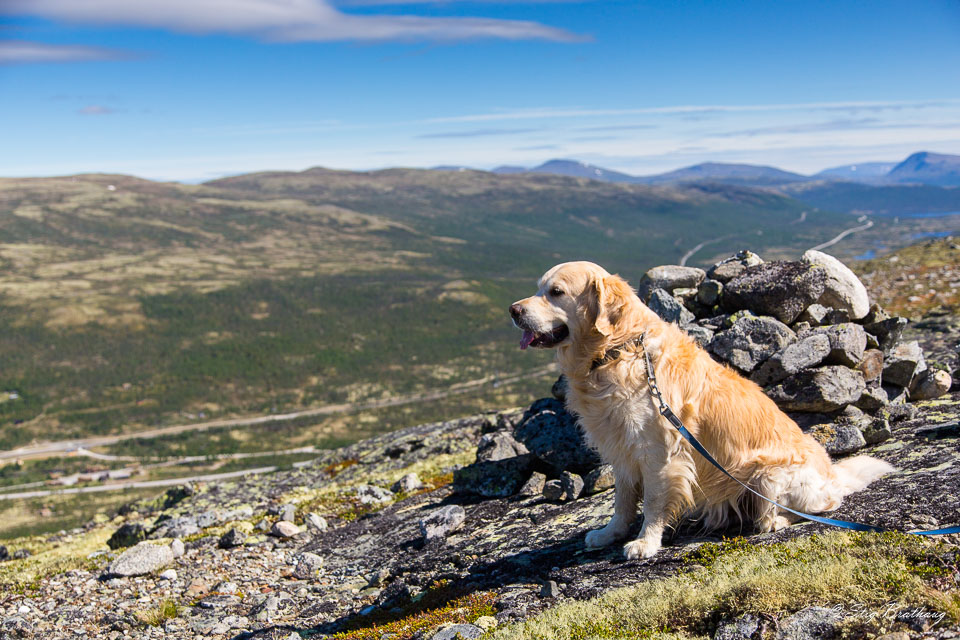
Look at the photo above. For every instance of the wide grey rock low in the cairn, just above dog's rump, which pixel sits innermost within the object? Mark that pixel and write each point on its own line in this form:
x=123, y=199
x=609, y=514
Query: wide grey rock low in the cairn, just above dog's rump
x=820, y=389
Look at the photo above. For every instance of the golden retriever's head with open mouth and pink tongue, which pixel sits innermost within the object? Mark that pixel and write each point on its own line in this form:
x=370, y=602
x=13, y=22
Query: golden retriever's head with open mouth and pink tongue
x=575, y=302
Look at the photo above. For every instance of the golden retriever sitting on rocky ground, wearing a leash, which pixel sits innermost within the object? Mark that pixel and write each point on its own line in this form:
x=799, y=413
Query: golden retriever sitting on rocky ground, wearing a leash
x=586, y=313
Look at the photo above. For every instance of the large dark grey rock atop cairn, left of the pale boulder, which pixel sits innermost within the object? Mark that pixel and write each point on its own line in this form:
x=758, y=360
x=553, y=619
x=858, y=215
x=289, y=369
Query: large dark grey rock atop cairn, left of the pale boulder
x=779, y=289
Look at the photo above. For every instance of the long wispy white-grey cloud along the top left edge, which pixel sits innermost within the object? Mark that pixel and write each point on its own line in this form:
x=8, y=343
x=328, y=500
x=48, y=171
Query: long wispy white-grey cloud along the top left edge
x=282, y=20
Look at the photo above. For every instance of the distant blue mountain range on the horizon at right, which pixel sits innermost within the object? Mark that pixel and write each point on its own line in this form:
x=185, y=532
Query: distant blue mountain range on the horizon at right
x=923, y=168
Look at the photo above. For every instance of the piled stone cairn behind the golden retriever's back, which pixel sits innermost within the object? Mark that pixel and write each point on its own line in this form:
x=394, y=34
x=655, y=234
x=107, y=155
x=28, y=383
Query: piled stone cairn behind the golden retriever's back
x=806, y=332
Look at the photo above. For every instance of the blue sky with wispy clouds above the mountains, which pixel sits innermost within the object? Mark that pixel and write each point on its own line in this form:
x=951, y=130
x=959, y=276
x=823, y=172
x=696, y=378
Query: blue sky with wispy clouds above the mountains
x=195, y=89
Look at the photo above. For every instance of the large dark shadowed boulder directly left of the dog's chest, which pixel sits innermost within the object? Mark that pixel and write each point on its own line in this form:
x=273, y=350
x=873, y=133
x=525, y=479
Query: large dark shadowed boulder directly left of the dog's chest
x=552, y=434
